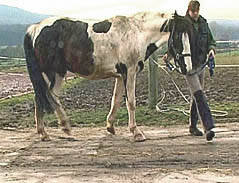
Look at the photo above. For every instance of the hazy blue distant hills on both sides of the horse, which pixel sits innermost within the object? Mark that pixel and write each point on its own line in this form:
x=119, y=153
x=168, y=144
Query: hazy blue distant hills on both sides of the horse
x=14, y=21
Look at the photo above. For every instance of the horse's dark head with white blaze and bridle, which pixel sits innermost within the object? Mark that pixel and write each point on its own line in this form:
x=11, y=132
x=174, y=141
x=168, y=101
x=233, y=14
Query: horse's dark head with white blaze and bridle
x=180, y=39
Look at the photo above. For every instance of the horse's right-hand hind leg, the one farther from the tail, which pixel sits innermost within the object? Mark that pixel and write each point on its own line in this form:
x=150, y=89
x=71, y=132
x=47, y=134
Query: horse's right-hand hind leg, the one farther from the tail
x=60, y=113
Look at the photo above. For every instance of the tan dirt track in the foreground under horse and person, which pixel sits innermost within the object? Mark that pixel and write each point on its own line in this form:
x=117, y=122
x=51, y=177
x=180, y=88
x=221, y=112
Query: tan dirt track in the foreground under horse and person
x=91, y=155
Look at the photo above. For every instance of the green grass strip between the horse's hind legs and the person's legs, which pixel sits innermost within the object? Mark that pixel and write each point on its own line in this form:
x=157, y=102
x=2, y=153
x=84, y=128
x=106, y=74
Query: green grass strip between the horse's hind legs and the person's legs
x=144, y=116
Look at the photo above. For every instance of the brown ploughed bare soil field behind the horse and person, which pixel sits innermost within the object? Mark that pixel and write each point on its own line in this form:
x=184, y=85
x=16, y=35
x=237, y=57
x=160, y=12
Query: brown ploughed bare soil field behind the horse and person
x=223, y=86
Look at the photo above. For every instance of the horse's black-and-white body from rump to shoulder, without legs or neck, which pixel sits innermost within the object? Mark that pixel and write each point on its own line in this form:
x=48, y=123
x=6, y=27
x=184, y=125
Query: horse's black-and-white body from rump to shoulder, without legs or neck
x=91, y=50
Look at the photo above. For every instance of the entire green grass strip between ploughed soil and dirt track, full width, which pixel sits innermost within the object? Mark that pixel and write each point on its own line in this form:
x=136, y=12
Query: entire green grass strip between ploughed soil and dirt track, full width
x=81, y=117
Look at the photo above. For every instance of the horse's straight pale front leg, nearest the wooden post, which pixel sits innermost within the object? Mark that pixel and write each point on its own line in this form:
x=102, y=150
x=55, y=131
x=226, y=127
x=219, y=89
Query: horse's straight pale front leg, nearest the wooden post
x=131, y=106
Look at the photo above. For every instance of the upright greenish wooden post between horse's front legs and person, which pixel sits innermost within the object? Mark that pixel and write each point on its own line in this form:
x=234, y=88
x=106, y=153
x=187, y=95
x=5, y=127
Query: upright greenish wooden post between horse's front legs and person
x=153, y=82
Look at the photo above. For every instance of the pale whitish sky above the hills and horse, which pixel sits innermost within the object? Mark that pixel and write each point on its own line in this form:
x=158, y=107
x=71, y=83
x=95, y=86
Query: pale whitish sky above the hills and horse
x=99, y=9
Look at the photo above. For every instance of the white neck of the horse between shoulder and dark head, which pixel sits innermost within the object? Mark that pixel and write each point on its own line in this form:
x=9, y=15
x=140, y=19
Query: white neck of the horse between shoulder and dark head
x=152, y=31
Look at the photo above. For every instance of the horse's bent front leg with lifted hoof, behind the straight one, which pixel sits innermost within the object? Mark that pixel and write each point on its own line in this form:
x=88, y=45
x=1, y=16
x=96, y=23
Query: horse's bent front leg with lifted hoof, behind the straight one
x=115, y=104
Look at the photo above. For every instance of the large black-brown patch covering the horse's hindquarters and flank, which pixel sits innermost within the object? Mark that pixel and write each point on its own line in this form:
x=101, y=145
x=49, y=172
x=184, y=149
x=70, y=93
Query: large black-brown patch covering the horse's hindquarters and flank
x=51, y=44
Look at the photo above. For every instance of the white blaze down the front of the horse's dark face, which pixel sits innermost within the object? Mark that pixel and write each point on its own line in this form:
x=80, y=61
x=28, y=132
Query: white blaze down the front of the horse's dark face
x=186, y=50
